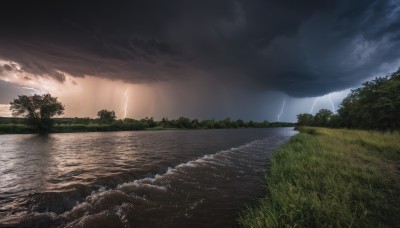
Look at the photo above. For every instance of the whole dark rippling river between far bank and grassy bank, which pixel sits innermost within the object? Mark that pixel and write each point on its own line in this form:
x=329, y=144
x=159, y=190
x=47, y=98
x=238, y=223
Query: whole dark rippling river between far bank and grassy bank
x=149, y=179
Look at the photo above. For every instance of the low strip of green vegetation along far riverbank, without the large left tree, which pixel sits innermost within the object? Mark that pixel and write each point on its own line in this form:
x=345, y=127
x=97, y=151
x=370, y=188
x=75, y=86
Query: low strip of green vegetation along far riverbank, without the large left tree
x=65, y=125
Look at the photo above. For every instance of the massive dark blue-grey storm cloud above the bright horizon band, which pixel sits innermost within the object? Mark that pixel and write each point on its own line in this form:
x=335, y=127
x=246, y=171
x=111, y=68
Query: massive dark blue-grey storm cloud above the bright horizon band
x=302, y=48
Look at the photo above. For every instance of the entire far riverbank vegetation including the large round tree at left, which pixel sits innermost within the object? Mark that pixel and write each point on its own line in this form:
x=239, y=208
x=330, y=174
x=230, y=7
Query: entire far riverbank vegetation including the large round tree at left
x=36, y=112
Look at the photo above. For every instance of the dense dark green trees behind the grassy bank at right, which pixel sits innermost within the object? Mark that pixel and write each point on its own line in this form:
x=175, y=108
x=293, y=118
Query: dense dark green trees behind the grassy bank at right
x=375, y=105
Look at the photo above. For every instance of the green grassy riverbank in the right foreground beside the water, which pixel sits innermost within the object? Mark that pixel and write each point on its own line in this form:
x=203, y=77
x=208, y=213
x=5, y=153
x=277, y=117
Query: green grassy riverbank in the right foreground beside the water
x=330, y=177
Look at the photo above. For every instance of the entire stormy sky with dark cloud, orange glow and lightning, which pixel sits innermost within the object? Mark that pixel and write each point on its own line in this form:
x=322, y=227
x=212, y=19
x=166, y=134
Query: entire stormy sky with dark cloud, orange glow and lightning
x=248, y=59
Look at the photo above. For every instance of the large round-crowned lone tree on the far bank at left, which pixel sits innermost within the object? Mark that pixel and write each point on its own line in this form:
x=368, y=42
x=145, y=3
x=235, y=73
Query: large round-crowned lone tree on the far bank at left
x=38, y=109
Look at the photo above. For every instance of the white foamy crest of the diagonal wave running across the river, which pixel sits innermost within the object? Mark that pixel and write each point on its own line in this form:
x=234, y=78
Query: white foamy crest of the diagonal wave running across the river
x=83, y=210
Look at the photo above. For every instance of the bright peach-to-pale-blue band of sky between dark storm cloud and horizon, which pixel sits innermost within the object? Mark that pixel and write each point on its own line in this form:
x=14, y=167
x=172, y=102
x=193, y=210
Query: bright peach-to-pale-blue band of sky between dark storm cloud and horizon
x=84, y=96
